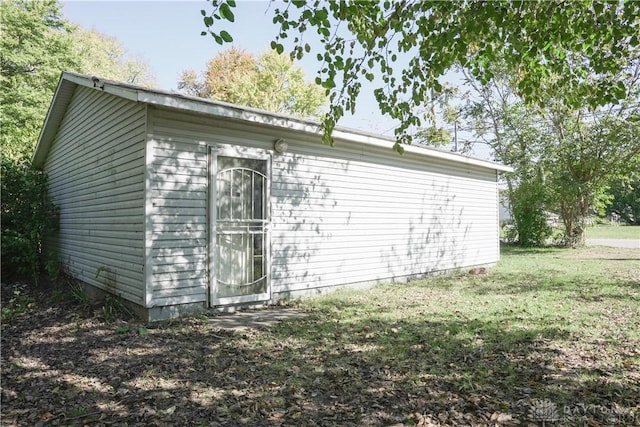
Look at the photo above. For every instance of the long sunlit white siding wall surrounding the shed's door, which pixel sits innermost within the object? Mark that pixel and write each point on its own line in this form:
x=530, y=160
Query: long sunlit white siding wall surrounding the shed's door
x=344, y=215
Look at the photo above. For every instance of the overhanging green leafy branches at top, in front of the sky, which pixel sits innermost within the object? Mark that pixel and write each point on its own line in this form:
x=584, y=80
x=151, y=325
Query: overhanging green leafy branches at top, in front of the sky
x=410, y=45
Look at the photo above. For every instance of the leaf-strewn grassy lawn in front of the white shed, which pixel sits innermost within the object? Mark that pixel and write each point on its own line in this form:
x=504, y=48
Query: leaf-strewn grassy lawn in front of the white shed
x=548, y=337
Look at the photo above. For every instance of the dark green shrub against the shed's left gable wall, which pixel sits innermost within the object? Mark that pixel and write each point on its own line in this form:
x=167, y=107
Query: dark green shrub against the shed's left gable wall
x=28, y=217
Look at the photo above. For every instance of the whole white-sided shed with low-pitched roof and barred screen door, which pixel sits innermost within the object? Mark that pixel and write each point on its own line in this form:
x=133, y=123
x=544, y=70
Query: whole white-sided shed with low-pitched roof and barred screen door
x=178, y=204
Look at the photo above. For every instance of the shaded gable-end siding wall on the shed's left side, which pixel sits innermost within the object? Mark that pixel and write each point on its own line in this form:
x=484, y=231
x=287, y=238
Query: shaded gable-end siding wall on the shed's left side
x=96, y=179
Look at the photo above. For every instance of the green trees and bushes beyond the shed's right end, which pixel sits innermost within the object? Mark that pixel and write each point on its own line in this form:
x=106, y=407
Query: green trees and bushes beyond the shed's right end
x=577, y=162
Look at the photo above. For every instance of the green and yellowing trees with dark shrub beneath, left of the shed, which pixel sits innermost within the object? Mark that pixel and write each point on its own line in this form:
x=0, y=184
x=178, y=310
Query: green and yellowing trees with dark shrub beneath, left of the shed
x=37, y=44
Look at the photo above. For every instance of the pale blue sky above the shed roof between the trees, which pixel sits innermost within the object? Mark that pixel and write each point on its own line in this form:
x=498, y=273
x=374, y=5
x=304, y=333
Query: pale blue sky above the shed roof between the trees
x=166, y=35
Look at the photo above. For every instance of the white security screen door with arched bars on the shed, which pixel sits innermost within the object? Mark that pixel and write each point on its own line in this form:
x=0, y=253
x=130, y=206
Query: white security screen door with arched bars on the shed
x=240, y=230
